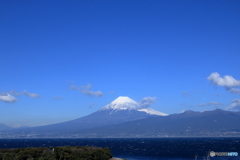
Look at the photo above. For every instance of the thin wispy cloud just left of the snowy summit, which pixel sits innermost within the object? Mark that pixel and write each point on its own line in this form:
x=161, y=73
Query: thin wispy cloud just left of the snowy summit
x=86, y=90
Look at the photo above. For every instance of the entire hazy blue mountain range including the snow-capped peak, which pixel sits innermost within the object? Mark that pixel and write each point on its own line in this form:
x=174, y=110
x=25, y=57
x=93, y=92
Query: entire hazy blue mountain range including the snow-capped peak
x=124, y=118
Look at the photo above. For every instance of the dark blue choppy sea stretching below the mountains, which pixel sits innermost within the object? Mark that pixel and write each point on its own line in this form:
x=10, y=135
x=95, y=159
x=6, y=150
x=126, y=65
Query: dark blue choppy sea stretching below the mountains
x=145, y=148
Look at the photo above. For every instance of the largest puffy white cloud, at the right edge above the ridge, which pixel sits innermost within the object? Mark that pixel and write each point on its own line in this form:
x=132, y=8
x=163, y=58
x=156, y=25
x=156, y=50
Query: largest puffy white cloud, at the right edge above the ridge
x=226, y=81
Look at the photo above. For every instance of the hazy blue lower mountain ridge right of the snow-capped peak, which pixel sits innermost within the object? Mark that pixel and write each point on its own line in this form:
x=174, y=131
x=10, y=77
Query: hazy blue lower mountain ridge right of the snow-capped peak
x=209, y=123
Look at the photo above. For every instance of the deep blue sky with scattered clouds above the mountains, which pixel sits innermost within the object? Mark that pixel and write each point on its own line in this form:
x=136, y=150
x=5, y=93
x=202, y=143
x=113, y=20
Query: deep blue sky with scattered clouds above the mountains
x=62, y=60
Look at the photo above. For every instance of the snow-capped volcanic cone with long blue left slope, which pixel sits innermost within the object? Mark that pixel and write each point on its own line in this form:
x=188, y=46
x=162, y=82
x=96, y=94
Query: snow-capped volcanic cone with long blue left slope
x=120, y=110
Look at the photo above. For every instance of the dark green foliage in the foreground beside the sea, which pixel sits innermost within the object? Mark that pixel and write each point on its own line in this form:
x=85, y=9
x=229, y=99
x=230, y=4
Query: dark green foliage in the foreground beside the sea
x=58, y=153
